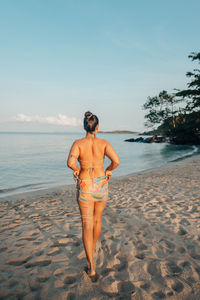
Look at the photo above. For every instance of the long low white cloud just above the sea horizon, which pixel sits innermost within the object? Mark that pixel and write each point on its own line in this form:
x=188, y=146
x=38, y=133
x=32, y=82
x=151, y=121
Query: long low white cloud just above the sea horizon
x=61, y=120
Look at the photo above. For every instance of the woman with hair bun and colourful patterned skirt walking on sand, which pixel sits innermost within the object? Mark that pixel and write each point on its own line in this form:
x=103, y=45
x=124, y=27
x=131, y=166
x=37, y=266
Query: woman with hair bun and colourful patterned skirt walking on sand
x=92, y=183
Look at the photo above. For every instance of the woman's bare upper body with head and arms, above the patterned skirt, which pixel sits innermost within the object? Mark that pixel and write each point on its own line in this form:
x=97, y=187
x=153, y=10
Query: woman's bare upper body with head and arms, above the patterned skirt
x=90, y=152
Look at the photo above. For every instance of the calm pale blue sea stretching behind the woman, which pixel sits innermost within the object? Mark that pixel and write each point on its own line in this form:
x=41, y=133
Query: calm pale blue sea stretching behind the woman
x=34, y=161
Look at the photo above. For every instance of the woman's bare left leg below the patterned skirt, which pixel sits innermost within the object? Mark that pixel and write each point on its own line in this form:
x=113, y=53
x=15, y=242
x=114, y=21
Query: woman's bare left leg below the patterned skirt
x=87, y=209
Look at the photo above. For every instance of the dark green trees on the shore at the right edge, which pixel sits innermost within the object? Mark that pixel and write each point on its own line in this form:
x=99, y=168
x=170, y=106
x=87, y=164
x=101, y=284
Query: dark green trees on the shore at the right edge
x=173, y=121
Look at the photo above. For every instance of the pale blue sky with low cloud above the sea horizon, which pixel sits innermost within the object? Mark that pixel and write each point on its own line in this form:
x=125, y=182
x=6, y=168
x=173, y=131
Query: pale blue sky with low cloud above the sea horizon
x=61, y=58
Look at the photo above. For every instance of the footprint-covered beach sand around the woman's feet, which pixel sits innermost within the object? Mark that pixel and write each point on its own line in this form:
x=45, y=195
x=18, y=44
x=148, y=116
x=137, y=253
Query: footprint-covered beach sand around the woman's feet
x=149, y=247
